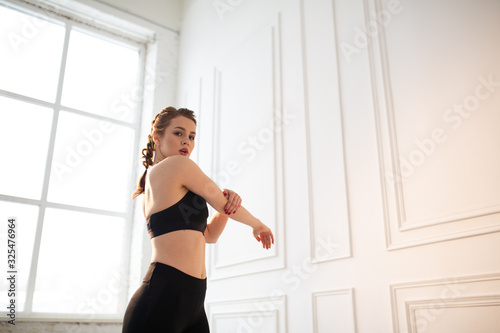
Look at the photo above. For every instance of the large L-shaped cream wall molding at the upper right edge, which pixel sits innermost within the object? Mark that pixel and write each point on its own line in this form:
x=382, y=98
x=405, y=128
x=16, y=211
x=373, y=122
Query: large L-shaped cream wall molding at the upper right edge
x=401, y=231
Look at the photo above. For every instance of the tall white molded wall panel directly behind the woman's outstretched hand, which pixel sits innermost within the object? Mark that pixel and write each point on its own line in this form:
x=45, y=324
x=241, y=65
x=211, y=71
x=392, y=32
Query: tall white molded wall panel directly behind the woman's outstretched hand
x=257, y=150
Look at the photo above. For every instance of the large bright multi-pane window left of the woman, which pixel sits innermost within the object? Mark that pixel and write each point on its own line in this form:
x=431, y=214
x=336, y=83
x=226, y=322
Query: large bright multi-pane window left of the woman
x=69, y=122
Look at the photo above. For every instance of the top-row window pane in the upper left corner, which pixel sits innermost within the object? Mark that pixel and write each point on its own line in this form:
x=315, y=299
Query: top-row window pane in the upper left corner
x=31, y=54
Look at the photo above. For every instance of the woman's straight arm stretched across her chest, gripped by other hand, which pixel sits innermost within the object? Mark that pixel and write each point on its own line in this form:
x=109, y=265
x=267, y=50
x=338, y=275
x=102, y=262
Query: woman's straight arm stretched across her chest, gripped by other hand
x=194, y=179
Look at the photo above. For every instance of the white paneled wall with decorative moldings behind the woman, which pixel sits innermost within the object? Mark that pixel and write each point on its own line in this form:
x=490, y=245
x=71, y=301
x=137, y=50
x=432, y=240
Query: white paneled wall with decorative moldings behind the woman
x=371, y=217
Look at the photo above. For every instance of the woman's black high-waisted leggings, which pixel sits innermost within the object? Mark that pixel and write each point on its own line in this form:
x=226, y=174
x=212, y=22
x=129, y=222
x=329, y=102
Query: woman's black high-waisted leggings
x=168, y=301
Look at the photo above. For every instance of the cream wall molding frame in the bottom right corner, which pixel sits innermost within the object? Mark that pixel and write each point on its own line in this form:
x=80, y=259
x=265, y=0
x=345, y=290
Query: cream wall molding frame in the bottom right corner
x=416, y=305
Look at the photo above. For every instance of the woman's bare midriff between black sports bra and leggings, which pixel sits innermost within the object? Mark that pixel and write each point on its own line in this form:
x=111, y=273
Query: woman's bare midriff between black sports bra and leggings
x=181, y=249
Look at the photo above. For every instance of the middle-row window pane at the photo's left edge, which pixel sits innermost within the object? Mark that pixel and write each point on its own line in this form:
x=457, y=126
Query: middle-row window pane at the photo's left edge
x=24, y=139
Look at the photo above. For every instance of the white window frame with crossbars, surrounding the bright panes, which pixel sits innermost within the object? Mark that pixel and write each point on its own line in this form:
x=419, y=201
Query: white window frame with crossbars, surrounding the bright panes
x=150, y=38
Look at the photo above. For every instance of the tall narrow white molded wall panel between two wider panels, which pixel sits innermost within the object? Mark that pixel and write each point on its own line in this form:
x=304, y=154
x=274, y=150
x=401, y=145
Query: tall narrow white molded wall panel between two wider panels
x=328, y=203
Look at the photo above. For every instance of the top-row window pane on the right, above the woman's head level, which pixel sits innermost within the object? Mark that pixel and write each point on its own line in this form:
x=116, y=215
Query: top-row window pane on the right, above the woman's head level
x=101, y=77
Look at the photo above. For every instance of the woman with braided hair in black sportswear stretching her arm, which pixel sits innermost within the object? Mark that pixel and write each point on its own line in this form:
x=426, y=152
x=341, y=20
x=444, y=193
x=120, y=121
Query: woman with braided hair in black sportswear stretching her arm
x=176, y=192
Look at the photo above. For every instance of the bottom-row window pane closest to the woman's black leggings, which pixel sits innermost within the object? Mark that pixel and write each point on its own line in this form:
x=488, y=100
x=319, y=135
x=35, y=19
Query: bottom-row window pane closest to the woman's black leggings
x=80, y=263
